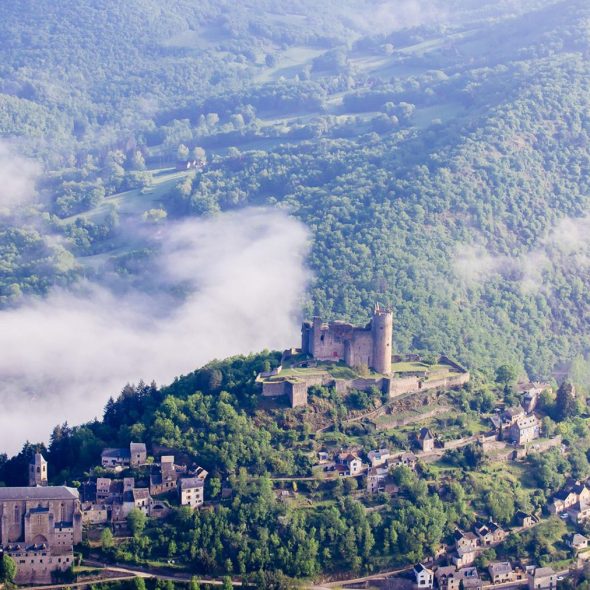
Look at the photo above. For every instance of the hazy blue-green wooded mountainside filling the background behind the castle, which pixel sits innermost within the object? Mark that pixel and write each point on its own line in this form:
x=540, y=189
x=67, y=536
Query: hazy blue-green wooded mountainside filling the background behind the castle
x=440, y=157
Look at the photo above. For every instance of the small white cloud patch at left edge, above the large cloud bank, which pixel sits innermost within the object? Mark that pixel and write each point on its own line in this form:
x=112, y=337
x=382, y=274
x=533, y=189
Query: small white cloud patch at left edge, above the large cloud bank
x=18, y=176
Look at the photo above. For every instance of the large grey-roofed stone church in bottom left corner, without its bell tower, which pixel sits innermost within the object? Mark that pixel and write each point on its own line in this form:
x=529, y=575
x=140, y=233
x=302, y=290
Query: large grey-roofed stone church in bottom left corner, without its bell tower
x=38, y=528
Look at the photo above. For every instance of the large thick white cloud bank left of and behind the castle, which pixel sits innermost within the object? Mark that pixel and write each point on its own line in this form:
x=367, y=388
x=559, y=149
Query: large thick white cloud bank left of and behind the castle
x=242, y=277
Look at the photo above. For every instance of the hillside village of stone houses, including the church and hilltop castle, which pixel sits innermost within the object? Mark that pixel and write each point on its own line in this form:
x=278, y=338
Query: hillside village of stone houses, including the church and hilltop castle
x=40, y=525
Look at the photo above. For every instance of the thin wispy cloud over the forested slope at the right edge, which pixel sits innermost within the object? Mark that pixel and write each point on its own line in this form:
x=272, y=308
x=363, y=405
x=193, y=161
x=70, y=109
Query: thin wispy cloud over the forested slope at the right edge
x=566, y=245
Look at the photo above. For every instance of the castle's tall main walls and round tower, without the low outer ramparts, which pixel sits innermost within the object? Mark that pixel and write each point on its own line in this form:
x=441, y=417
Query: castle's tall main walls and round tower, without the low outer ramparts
x=369, y=346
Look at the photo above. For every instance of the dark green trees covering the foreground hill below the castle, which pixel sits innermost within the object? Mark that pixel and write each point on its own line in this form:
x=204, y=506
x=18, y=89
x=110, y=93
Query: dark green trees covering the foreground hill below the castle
x=215, y=416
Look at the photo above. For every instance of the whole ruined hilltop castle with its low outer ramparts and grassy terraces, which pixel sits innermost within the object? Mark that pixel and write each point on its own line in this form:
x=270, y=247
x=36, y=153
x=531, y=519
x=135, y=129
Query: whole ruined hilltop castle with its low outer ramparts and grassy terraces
x=340, y=355
